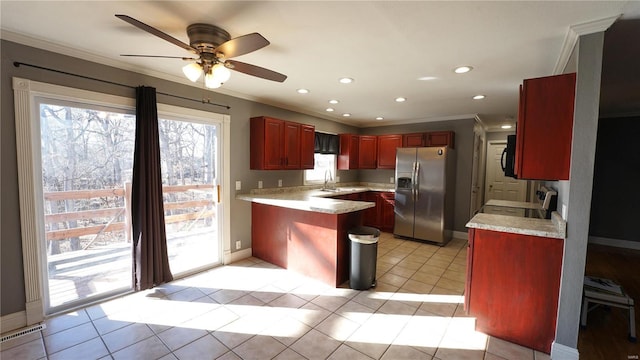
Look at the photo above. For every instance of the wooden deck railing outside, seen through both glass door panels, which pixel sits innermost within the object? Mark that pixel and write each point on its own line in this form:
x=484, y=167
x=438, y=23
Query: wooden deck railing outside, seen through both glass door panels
x=114, y=213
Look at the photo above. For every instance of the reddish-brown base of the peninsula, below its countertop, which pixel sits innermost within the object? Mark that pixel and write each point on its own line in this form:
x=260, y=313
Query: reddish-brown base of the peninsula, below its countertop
x=310, y=243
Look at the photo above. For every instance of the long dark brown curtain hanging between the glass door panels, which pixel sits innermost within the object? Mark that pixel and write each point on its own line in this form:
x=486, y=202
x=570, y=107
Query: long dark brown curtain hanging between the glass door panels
x=150, y=260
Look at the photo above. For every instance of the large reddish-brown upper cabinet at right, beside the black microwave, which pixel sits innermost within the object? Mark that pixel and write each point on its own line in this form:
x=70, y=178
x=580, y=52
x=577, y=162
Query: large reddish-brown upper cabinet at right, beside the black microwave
x=545, y=125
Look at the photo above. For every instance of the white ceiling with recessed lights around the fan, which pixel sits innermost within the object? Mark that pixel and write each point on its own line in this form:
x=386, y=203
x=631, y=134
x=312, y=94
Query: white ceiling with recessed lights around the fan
x=384, y=45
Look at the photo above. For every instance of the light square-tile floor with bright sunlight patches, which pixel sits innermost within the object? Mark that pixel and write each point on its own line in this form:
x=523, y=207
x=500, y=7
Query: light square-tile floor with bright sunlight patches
x=254, y=310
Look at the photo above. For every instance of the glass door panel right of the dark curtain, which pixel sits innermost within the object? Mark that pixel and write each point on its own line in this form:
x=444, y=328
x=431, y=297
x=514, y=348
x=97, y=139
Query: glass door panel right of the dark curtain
x=190, y=173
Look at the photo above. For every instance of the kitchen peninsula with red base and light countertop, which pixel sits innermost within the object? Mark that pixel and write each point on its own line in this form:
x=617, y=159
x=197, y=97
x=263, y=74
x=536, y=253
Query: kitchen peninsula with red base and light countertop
x=305, y=230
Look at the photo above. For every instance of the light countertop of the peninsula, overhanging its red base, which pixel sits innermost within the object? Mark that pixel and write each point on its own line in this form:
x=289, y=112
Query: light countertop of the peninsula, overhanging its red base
x=316, y=200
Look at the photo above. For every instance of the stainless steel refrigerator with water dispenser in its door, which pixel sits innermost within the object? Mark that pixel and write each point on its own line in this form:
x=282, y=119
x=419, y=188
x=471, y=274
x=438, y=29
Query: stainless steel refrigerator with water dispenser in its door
x=424, y=197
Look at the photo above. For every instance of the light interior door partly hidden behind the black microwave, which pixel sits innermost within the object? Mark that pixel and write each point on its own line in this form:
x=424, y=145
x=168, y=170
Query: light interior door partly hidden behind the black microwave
x=500, y=187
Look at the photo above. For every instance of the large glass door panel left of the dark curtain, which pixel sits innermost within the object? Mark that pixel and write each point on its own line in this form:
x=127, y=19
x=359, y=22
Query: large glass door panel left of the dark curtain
x=86, y=161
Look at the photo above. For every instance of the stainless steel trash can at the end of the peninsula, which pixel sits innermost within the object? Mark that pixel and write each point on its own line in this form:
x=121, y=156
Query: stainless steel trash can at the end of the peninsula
x=364, y=252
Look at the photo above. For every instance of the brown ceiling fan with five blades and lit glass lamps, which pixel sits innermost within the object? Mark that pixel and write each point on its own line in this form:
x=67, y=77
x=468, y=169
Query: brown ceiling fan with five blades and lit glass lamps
x=213, y=47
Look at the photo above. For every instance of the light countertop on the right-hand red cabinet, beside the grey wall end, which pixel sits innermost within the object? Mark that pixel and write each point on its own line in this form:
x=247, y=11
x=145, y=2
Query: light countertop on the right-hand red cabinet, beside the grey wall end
x=556, y=227
